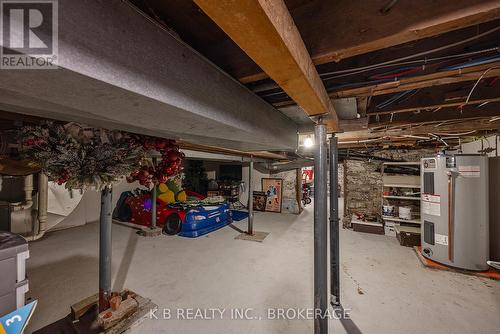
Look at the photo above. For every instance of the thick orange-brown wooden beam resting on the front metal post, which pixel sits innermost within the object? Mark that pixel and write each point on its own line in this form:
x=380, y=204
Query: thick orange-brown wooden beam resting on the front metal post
x=266, y=32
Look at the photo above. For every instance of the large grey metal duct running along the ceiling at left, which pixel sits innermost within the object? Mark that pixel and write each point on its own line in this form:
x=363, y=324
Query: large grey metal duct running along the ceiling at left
x=118, y=69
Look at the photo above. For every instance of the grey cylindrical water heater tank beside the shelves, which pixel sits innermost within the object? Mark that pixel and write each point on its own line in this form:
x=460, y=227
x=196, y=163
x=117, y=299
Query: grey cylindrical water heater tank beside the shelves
x=454, y=210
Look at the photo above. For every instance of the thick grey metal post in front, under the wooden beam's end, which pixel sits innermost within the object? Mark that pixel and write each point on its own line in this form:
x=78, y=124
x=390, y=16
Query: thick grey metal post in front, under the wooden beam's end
x=320, y=230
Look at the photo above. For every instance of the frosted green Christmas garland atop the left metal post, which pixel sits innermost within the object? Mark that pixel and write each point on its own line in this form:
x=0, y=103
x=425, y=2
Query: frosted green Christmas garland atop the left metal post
x=80, y=156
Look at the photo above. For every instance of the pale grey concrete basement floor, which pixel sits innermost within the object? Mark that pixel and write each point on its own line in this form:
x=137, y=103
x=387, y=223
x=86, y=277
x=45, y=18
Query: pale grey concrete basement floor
x=383, y=283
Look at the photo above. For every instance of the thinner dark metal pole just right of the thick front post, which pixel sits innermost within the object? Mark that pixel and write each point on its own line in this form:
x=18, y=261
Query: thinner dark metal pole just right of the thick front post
x=334, y=224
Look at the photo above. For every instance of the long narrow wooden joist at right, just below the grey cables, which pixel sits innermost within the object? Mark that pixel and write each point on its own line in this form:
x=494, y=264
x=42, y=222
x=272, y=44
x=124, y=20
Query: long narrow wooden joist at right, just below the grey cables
x=422, y=81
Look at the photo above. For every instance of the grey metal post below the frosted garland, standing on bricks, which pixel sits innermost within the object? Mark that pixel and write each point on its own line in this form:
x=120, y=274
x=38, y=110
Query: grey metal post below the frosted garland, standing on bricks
x=105, y=249
